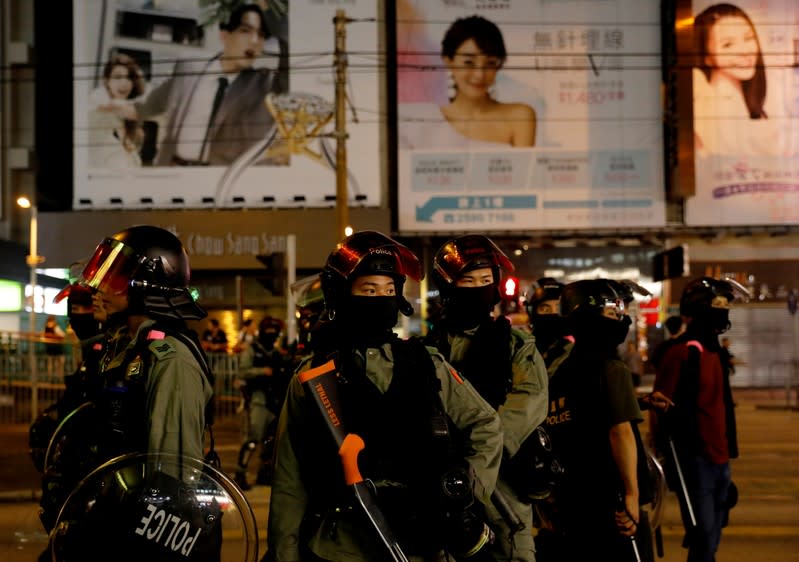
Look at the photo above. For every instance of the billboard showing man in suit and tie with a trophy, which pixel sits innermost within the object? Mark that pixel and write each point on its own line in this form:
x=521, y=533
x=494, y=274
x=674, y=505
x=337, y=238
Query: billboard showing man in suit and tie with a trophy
x=191, y=103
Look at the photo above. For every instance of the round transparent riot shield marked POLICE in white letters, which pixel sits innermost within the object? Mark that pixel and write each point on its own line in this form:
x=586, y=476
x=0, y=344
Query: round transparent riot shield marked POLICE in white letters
x=155, y=508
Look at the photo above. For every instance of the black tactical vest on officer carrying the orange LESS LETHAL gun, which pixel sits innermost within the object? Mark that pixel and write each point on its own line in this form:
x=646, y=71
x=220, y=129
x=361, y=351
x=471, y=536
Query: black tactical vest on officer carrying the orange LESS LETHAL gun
x=402, y=455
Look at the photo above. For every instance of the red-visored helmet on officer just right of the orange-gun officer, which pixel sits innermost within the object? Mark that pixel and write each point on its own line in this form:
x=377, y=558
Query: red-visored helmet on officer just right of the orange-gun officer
x=464, y=254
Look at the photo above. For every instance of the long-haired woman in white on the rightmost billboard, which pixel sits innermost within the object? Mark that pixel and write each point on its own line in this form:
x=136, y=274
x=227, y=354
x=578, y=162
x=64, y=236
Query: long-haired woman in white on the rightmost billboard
x=729, y=84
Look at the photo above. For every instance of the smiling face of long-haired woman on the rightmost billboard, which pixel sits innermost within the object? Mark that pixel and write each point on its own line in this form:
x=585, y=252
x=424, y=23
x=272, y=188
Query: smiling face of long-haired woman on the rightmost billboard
x=732, y=48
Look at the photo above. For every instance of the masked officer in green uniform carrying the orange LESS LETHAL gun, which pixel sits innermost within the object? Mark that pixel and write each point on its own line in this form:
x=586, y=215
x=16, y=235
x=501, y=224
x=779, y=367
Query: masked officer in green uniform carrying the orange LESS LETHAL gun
x=390, y=393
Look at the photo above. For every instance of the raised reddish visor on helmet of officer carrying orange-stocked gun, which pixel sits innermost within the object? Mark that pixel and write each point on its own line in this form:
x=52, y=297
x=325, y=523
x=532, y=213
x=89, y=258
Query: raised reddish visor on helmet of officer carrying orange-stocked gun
x=352, y=251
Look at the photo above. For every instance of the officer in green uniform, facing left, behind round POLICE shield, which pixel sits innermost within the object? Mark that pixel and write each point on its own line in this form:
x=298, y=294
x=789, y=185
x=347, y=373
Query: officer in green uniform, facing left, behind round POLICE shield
x=155, y=398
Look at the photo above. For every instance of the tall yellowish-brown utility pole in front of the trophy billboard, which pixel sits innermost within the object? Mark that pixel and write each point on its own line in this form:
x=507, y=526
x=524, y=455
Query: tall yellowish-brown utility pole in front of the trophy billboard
x=340, y=59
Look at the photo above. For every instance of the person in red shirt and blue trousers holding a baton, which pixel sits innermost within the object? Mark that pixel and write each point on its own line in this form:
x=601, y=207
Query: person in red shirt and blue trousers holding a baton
x=696, y=428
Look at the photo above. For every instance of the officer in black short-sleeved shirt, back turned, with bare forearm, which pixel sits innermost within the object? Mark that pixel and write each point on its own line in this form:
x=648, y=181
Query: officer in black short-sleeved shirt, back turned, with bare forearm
x=593, y=410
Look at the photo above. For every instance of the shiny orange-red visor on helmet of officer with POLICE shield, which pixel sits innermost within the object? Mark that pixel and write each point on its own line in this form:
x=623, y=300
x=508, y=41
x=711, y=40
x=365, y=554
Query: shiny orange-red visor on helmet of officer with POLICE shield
x=111, y=268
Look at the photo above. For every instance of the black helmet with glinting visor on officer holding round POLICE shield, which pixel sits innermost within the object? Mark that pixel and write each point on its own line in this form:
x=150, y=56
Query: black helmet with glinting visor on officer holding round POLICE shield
x=148, y=263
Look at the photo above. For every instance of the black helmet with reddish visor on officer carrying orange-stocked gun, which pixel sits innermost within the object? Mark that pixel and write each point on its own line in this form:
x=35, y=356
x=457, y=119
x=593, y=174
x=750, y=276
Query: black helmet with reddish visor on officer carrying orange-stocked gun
x=367, y=252
